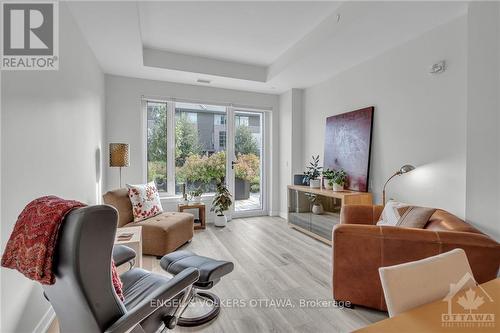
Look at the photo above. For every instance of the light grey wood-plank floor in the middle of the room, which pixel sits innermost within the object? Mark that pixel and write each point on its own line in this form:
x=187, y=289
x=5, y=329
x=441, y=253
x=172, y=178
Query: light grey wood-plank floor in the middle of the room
x=272, y=262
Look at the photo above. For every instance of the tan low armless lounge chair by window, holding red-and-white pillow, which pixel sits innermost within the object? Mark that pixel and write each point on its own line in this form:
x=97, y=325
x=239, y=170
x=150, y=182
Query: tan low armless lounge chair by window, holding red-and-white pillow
x=161, y=234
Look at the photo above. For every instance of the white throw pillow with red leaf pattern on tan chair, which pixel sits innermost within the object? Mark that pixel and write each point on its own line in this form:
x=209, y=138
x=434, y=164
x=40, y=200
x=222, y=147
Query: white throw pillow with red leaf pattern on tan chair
x=145, y=201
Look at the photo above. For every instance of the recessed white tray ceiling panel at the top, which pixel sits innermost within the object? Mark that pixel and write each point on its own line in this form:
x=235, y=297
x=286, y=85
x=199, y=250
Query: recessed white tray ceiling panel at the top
x=248, y=32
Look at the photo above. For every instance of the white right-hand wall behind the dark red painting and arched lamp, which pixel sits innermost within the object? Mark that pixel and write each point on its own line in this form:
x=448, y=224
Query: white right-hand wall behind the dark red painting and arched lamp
x=419, y=118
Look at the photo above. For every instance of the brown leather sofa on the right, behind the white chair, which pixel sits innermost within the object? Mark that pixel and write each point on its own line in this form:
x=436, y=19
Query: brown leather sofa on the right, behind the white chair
x=360, y=248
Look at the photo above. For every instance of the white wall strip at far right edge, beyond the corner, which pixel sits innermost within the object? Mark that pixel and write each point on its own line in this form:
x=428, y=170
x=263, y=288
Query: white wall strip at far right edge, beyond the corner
x=483, y=107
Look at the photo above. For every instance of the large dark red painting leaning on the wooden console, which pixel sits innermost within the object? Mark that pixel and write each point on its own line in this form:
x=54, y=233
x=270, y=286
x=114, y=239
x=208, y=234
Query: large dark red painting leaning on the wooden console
x=348, y=145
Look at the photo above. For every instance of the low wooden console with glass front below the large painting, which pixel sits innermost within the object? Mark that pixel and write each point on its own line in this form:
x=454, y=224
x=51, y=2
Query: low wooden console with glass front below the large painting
x=300, y=214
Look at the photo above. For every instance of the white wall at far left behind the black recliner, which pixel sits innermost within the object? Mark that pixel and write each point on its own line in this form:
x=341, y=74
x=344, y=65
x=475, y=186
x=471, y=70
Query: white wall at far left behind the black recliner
x=52, y=130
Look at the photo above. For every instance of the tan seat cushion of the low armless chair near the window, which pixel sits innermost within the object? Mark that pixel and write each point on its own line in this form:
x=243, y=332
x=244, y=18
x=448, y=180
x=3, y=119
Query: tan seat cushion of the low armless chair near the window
x=164, y=233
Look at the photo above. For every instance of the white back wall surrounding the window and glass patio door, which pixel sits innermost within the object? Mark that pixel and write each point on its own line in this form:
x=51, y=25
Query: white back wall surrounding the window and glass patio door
x=124, y=119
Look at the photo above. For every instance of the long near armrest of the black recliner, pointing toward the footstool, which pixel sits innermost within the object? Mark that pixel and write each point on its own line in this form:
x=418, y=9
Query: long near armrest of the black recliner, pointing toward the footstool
x=155, y=300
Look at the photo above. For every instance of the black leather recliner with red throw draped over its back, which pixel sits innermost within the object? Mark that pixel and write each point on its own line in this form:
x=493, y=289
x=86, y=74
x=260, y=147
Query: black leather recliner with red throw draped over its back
x=83, y=296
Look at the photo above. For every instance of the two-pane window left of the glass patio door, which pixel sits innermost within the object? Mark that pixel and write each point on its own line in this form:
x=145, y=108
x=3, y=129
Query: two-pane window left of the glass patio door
x=196, y=154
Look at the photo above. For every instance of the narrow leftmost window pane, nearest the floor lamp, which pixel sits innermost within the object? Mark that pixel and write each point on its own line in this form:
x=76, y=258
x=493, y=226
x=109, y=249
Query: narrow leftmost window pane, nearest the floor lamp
x=157, y=144
